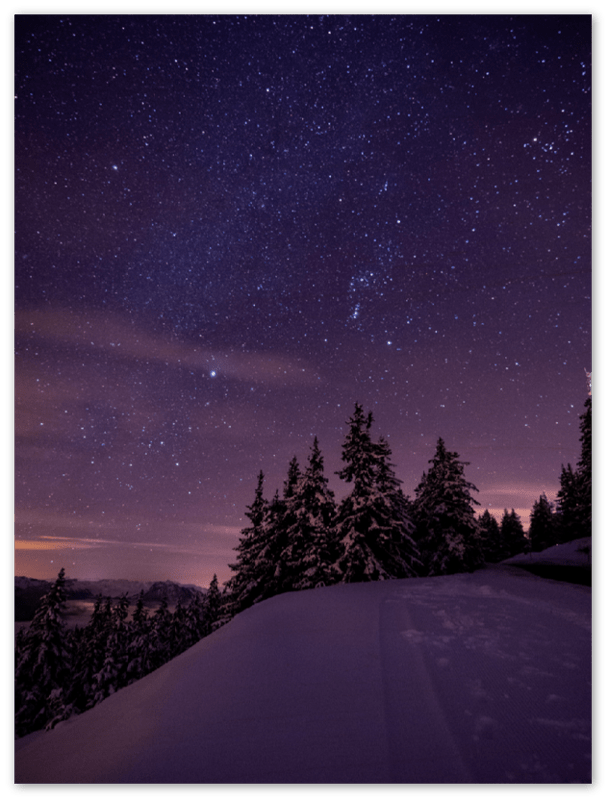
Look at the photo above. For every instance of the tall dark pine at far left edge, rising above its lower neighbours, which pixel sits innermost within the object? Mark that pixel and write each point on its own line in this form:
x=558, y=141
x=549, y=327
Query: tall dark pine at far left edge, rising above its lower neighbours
x=42, y=665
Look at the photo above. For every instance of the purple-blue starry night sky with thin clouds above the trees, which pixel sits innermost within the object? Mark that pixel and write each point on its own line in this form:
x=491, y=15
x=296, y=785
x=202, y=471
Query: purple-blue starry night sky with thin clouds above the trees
x=230, y=228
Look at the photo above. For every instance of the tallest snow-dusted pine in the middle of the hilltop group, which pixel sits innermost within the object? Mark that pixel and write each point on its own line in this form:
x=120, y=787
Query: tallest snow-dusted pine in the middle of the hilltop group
x=371, y=534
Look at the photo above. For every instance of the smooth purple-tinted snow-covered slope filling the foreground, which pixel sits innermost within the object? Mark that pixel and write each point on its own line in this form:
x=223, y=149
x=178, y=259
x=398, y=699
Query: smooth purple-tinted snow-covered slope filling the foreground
x=481, y=678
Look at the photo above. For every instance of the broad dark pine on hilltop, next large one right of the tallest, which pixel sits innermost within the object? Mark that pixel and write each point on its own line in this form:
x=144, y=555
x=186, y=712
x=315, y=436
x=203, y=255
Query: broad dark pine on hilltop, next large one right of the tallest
x=447, y=531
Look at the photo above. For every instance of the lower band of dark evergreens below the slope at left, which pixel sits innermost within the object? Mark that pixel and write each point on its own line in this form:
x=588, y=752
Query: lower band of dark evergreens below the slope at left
x=61, y=671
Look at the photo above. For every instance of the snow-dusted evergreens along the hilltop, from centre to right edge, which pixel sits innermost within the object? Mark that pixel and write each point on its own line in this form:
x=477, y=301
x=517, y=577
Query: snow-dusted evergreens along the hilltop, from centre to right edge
x=303, y=538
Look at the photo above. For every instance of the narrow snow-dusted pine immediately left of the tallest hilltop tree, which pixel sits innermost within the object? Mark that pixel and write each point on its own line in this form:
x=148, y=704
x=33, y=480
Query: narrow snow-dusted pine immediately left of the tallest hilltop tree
x=309, y=515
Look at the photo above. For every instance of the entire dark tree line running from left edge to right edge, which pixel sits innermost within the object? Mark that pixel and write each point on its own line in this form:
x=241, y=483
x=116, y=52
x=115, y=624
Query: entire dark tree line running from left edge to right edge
x=300, y=539
